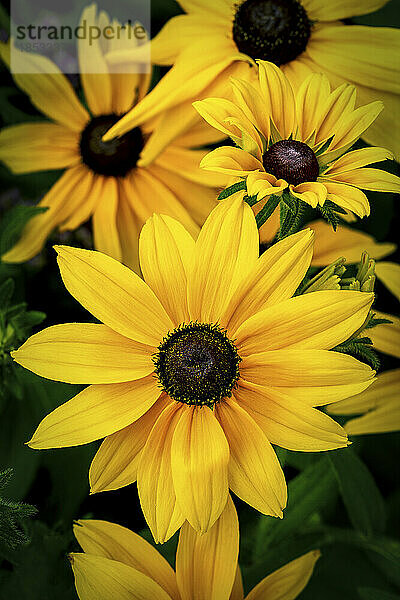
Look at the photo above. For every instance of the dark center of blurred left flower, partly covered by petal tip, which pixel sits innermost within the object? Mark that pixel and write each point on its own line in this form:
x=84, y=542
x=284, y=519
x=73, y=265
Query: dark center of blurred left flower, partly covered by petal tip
x=114, y=158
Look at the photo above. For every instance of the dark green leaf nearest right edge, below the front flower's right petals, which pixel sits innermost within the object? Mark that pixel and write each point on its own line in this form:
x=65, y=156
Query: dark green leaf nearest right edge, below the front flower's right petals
x=364, y=503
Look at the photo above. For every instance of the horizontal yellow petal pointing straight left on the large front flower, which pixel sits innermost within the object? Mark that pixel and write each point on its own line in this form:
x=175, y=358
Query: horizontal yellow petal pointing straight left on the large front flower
x=84, y=353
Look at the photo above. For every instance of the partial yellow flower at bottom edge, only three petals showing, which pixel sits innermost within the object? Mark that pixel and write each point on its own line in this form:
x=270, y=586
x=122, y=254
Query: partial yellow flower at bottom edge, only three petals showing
x=118, y=563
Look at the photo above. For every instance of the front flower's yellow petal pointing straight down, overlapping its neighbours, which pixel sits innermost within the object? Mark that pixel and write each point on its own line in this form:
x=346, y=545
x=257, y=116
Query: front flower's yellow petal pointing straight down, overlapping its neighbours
x=199, y=458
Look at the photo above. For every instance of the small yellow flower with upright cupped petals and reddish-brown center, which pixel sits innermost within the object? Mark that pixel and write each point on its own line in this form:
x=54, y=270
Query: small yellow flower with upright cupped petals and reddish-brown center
x=297, y=142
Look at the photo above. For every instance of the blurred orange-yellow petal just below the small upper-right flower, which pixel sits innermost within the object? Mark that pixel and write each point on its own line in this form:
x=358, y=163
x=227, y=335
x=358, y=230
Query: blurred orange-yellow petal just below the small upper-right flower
x=349, y=243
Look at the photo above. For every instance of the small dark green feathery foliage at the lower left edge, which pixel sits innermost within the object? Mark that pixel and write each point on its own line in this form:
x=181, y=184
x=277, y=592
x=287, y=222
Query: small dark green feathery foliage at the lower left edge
x=12, y=516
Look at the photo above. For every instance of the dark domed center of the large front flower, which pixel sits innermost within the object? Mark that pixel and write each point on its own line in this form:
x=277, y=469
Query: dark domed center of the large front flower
x=197, y=364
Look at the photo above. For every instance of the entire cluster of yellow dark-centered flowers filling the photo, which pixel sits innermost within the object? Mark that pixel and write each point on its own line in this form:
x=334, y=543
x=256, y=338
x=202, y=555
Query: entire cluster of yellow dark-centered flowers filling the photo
x=200, y=338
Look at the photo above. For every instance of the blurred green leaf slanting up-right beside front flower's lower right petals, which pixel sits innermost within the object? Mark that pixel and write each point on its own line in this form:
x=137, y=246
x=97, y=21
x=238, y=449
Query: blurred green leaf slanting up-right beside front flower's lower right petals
x=308, y=493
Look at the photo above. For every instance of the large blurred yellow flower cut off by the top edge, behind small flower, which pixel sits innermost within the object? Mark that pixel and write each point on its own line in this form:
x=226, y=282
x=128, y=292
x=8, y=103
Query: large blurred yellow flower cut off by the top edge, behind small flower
x=211, y=41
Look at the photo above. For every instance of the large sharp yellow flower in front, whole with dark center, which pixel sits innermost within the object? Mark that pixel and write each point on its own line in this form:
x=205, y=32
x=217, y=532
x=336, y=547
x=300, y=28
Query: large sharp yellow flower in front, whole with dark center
x=208, y=346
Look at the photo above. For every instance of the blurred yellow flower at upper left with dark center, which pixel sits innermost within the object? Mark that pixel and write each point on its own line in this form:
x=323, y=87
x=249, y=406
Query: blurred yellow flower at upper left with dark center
x=102, y=181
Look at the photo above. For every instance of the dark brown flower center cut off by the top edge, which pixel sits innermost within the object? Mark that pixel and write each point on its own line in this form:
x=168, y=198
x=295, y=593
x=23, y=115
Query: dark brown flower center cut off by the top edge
x=273, y=30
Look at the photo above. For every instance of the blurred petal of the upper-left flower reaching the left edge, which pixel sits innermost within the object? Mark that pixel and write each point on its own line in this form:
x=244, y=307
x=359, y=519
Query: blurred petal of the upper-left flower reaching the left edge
x=31, y=147
